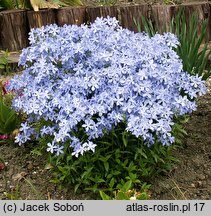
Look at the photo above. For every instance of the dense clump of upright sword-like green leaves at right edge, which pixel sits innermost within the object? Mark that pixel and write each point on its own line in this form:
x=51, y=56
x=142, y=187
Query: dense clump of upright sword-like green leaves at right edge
x=194, y=57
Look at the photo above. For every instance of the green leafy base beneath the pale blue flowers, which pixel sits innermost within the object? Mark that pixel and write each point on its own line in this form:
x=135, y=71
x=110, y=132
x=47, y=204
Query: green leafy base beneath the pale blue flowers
x=120, y=157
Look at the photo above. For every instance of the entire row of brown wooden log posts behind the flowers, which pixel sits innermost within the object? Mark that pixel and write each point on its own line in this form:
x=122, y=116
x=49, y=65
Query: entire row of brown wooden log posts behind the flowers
x=16, y=24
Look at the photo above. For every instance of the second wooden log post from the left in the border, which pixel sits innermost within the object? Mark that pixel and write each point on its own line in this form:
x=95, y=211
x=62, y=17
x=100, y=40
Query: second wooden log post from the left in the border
x=40, y=18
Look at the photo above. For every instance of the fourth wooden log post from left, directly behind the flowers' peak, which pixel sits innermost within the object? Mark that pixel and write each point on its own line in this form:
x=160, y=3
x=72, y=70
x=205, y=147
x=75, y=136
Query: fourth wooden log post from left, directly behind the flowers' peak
x=102, y=11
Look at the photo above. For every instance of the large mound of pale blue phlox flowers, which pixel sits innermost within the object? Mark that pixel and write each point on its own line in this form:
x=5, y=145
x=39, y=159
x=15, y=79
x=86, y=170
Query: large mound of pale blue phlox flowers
x=93, y=77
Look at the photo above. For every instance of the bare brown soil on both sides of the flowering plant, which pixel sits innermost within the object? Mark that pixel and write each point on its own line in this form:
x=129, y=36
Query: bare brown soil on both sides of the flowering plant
x=27, y=177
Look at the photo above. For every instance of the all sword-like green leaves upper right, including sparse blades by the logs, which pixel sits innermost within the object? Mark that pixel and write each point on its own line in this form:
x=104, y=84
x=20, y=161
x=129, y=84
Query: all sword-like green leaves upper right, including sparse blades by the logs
x=191, y=49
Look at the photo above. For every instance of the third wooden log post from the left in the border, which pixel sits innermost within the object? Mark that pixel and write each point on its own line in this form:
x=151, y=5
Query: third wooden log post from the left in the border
x=71, y=15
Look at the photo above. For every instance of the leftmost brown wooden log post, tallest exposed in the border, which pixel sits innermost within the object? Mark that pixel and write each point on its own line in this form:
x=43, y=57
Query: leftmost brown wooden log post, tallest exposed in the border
x=14, y=30
